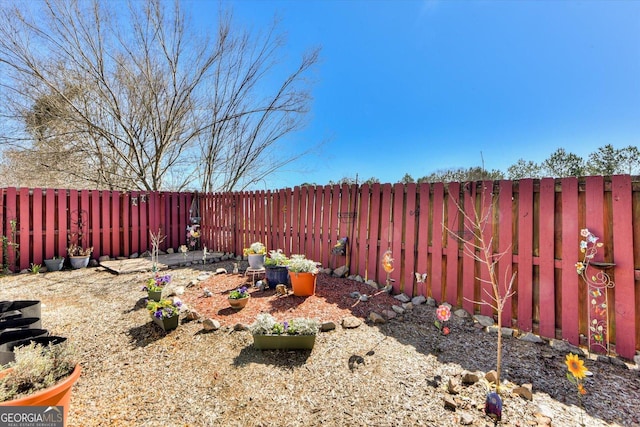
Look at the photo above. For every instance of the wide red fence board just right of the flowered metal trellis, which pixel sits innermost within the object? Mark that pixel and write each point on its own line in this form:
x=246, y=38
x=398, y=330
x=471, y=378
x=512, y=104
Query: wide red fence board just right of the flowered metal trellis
x=625, y=315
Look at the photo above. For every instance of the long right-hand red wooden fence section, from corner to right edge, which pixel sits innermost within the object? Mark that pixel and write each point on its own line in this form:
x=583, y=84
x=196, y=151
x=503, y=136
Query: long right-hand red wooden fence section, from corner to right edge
x=535, y=223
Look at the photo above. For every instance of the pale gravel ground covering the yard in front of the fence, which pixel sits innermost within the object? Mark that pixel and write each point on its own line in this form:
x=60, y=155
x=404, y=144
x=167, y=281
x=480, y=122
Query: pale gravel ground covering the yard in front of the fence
x=395, y=374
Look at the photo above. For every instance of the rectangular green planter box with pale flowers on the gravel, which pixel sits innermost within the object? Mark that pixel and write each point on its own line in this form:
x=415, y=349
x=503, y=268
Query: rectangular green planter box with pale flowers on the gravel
x=296, y=334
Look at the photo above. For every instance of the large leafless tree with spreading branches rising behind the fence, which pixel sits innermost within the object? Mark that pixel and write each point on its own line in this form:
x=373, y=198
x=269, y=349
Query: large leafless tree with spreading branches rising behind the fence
x=137, y=99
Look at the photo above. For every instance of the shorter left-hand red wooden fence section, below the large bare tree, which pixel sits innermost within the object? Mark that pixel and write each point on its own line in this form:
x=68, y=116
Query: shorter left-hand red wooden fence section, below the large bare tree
x=114, y=223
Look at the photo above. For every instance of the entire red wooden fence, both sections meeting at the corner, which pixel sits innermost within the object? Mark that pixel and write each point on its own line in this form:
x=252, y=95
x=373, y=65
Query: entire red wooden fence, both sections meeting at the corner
x=536, y=223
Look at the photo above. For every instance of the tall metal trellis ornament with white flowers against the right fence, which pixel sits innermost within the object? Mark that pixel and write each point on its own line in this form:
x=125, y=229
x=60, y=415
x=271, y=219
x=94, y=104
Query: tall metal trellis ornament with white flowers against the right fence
x=597, y=292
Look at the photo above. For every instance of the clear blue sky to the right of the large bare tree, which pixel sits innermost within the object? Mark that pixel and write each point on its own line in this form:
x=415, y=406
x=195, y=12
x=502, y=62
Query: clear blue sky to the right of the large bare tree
x=418, y=86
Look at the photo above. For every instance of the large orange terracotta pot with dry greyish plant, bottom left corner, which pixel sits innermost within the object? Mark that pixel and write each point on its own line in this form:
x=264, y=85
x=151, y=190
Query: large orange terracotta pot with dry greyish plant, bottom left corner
x=40, y=376
